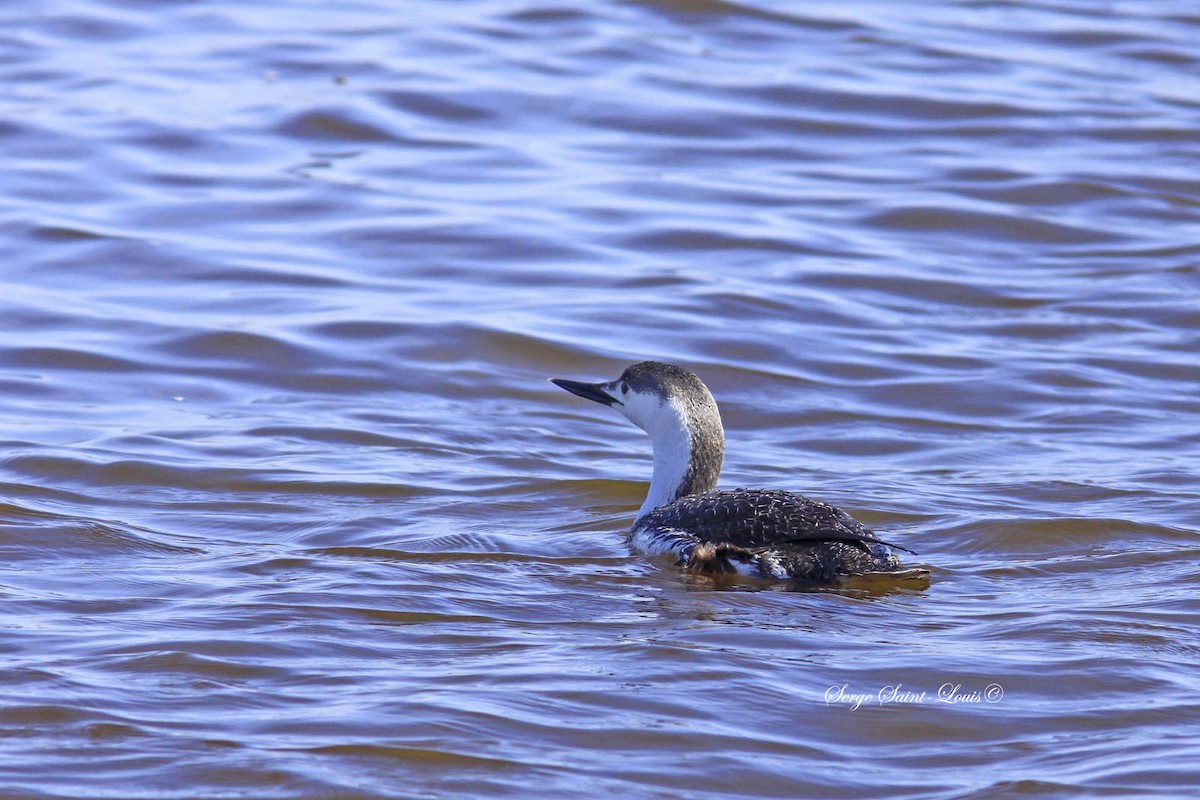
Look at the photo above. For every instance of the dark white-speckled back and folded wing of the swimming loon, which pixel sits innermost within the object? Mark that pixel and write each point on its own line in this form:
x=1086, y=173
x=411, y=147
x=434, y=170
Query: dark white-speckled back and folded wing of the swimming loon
x=755, y=519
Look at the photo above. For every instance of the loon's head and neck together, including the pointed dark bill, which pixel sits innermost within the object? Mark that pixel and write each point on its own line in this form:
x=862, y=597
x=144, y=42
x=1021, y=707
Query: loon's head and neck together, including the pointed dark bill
x=679, y=412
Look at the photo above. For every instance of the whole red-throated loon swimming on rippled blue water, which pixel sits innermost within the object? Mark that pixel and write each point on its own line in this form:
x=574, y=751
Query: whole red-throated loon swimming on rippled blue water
x=766, y=533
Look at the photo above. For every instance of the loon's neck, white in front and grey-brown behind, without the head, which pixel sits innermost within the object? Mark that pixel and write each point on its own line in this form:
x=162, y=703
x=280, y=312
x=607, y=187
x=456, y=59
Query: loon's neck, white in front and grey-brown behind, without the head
x=687, y=459
